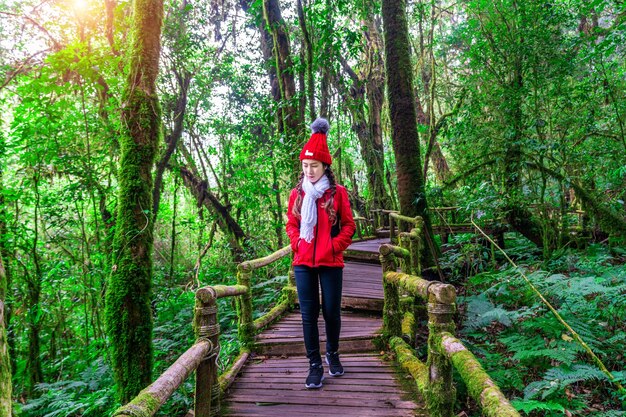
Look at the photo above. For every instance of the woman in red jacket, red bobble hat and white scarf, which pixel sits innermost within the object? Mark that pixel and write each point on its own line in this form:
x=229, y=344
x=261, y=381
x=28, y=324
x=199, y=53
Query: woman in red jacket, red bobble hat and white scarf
x=320, y=228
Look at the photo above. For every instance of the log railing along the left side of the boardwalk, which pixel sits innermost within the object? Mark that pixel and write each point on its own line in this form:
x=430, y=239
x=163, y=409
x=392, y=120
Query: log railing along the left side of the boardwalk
x=202, y=356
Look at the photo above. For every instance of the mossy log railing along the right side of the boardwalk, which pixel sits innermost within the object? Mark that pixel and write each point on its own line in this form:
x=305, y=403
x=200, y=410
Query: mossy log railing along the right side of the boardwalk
x=406, y=294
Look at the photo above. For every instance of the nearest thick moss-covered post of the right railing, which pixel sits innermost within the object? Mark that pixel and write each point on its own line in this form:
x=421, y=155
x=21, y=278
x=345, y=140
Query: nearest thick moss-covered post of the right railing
x=440, y=395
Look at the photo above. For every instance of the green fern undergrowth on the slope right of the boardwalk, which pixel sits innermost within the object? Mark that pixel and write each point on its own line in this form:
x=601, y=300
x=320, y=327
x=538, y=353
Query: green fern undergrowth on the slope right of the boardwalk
x=528, y=353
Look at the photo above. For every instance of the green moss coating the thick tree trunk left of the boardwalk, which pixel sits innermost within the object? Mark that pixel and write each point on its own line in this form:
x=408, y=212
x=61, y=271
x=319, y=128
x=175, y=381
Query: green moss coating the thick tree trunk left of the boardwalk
x=128, y=313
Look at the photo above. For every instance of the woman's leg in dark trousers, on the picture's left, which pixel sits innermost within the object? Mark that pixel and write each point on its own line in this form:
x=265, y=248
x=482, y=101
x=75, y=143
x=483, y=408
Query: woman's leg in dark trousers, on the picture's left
x=308, y=297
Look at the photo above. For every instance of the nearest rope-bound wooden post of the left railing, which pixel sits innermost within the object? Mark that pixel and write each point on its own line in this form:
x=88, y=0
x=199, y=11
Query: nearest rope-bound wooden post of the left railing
x=207, y=396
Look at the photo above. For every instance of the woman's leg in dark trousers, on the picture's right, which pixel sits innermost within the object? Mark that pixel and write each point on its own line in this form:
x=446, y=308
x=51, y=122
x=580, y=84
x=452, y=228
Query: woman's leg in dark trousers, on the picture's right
x=331, y=280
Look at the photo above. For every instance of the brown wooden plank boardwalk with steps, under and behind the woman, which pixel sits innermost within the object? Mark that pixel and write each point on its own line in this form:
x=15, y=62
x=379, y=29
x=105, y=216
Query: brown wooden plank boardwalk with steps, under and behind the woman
x=272, y=384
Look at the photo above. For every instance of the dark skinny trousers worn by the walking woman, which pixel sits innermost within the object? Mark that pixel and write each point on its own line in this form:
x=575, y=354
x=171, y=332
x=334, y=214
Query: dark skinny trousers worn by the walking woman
x=308, y=281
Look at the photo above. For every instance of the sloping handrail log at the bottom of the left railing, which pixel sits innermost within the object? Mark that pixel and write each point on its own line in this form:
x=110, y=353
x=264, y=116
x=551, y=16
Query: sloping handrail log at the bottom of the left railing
x=148, y=402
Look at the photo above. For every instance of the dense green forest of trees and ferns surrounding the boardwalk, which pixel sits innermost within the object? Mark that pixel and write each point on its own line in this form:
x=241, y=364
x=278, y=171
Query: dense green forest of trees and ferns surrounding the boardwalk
x=147, y=147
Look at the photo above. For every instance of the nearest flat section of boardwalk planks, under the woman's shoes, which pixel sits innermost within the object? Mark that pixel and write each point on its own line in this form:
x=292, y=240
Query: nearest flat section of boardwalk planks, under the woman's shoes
x=274, y=387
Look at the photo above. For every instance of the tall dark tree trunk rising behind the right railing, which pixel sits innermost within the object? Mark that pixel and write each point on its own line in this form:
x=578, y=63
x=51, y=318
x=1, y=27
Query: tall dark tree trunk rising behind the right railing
x=404, y=135
